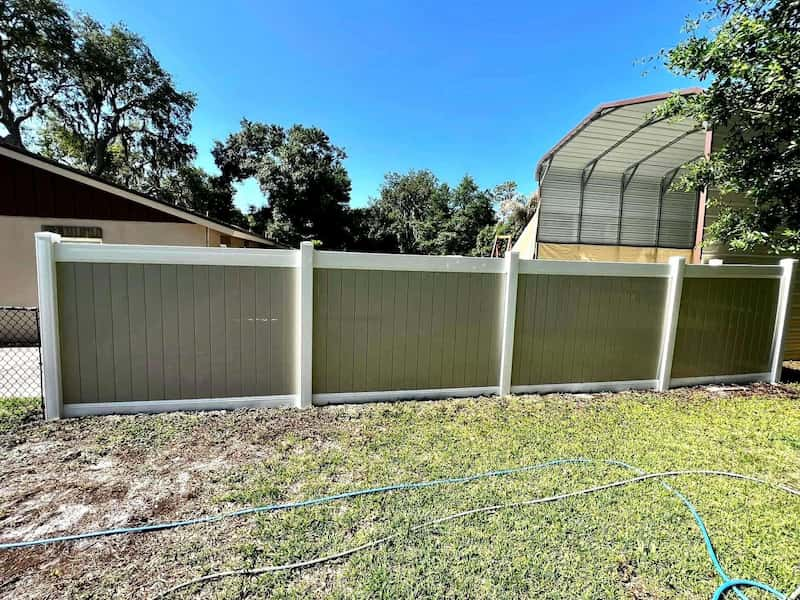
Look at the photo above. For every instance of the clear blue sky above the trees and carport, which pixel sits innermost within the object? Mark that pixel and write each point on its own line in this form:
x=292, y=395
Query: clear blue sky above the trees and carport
x=456, y=87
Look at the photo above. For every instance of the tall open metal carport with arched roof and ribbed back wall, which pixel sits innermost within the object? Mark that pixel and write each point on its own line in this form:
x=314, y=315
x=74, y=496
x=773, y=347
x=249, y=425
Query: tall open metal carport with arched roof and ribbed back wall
x=608, y=180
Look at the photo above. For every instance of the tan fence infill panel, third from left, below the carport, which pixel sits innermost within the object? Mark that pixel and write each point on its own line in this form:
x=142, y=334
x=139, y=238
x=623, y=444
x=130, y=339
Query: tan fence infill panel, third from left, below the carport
x=580, y=328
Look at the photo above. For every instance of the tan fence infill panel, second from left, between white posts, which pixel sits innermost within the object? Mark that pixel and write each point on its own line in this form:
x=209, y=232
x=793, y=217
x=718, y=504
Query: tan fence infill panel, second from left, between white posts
x=402, y=330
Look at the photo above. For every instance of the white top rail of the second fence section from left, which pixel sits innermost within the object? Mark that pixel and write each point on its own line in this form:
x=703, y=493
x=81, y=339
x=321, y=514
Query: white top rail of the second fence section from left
x=406, y=262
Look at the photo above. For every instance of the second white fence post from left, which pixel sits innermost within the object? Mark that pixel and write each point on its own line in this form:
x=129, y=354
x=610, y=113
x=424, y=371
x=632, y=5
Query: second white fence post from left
x=305, y=319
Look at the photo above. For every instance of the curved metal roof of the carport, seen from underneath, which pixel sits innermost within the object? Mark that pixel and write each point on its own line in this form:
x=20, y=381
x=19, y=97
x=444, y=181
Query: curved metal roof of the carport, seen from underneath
x=622, y=137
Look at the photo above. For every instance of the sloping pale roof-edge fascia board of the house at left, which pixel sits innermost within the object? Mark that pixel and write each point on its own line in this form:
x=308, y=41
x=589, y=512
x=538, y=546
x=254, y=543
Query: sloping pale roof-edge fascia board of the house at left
x=132, y=196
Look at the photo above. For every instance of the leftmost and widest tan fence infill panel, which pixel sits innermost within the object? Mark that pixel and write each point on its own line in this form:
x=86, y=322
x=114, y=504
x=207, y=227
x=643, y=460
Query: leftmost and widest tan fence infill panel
x=163, y=332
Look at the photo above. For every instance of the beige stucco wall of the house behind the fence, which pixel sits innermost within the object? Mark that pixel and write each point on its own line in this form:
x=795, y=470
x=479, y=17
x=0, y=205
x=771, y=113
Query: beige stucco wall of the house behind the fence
x=18, y=255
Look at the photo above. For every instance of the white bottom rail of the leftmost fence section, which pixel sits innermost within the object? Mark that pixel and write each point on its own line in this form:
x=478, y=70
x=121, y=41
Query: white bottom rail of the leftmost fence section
x=159, y=406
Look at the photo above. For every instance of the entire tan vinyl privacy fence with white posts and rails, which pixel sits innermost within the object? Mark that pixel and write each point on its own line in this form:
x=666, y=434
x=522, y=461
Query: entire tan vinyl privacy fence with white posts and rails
x=148, y=328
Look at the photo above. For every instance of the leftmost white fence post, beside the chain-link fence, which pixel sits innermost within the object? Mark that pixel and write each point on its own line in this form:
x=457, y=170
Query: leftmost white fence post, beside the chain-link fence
x=48, y=323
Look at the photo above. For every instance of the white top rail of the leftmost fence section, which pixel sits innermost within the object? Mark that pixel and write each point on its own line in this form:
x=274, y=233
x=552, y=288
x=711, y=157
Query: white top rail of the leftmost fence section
x=175, y=255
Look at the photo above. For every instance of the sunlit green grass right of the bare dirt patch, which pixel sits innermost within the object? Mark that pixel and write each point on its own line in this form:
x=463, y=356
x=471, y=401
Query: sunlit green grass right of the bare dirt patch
x=637, y=542
